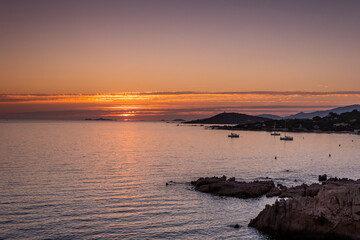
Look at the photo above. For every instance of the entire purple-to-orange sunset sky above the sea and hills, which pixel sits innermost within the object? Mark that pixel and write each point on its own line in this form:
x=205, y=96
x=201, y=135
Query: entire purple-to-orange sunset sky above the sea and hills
x=225, y=55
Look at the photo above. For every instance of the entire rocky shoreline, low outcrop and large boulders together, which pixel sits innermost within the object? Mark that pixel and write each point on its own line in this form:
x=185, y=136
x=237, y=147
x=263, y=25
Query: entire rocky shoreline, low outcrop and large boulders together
x=327, y=210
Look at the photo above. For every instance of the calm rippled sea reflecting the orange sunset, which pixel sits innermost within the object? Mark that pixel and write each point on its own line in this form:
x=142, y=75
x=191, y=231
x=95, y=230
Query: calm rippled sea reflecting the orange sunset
x=106, y=180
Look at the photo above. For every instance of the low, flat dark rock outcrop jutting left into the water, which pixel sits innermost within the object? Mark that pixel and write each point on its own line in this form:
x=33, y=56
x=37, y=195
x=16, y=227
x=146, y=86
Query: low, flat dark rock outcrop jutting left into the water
x=222, y=187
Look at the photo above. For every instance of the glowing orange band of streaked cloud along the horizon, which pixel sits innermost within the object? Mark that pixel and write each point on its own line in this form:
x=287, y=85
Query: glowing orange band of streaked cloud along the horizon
x=168, y=105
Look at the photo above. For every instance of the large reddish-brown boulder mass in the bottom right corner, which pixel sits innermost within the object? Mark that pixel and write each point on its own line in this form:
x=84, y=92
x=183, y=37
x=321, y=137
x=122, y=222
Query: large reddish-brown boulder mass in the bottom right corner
x=327, y=211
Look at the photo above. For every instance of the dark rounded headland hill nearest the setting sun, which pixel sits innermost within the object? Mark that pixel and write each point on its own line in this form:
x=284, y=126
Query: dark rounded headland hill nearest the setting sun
x=229, y=118
